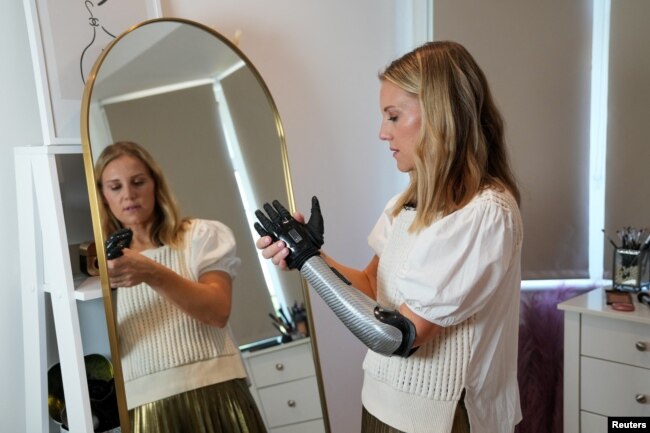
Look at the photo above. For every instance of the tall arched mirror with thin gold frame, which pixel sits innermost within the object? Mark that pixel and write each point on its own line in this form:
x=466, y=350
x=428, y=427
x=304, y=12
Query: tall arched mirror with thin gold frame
x=186, y=141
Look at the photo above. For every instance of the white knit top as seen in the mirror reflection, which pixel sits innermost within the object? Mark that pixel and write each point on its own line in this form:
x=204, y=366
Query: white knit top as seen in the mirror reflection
x=164, y=351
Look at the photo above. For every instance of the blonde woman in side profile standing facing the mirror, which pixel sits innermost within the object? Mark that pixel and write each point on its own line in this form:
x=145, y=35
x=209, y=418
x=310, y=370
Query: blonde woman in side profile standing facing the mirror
x=447, y=255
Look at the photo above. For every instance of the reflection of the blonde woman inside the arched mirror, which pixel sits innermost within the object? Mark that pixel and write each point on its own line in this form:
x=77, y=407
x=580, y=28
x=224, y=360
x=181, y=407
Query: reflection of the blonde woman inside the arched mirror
x=182, y=370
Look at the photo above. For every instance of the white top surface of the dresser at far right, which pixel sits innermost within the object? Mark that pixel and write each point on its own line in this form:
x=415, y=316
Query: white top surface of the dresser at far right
x=593, y=302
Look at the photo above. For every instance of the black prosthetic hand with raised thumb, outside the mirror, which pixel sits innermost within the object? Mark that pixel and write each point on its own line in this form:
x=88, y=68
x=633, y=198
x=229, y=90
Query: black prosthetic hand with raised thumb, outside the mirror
x=303, y=240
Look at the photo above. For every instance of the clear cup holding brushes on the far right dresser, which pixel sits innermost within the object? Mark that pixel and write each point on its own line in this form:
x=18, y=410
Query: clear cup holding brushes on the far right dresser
x=631, y=269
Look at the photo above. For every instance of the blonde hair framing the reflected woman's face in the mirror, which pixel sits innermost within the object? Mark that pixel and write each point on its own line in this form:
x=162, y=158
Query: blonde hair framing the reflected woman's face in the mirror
x=168, y=226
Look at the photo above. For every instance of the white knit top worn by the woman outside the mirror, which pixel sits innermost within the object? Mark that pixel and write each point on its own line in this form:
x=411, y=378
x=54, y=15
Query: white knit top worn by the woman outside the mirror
x=462, y=273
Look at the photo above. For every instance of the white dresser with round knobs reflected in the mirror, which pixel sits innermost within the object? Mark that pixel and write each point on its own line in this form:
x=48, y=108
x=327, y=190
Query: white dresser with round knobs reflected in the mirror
x=284, y=384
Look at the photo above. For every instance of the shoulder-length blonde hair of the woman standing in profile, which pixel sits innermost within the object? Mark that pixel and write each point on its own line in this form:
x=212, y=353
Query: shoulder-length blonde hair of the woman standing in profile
x=461, y=148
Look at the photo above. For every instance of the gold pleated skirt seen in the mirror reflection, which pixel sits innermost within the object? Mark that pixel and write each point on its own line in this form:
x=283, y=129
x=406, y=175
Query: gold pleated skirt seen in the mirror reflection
x=226, y=407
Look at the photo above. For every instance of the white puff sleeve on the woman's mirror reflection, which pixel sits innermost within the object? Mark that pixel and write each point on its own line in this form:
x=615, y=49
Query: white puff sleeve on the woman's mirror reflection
x=212, y=247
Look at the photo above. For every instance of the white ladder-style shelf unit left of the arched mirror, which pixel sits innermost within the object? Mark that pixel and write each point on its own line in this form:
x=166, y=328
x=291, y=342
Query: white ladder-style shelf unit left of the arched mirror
x=46, y=268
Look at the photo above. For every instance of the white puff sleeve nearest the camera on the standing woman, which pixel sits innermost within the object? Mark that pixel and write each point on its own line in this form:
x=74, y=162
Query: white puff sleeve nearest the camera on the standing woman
x=458, y=263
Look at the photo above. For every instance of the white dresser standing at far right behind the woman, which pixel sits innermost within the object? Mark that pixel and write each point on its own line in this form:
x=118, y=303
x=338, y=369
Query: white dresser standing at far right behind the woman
x=606, y=362
